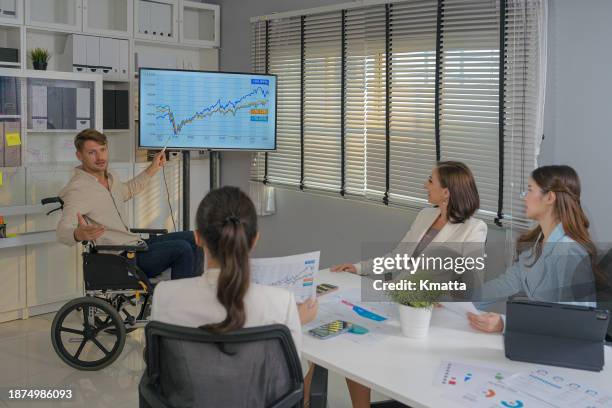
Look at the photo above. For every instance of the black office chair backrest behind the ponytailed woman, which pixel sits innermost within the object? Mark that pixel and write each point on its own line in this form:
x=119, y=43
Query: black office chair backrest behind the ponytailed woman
x=191, y=367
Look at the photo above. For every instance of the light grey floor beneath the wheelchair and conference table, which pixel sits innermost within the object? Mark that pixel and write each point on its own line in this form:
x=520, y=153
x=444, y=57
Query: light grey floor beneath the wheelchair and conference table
x=27, y=360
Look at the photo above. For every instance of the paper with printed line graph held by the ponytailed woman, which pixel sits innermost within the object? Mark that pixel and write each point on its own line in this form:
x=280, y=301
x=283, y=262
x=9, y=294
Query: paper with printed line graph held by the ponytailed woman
x=295, y=273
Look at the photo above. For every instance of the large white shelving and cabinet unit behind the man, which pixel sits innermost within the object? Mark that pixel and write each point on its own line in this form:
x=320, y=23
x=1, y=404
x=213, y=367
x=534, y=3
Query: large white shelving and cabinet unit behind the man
x=40, y=278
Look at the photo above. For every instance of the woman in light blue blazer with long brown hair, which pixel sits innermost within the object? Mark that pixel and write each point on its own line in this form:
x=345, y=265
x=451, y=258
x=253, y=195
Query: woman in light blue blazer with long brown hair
x=555, y=260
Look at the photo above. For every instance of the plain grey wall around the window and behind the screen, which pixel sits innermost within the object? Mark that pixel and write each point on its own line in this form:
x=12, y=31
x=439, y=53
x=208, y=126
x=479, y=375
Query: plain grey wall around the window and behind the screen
x=578, y=106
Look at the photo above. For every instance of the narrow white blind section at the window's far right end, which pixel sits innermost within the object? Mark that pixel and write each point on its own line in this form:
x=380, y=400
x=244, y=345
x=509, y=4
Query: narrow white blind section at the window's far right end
x=524, y=90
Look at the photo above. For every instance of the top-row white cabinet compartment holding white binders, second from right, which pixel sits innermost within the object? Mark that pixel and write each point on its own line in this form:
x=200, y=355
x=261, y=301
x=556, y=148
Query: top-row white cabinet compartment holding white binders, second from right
x=156, y=20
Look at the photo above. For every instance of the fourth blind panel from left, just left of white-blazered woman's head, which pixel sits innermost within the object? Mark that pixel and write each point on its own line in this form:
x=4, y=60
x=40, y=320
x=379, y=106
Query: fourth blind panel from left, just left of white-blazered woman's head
x=412, y=102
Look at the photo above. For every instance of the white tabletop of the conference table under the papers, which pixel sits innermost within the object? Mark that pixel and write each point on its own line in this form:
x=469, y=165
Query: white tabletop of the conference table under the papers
x=404, y=369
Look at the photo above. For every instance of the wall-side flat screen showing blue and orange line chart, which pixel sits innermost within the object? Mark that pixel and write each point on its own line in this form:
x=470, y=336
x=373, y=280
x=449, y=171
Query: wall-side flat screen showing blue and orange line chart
x=205, y=110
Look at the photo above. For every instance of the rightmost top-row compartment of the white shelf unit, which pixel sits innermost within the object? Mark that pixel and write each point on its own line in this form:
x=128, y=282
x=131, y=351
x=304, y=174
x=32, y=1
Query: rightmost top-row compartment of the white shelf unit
x=199, y=23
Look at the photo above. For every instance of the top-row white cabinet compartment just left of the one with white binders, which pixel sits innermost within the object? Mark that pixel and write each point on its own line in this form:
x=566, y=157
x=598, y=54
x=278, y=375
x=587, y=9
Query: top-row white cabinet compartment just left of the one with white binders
x=112, y=18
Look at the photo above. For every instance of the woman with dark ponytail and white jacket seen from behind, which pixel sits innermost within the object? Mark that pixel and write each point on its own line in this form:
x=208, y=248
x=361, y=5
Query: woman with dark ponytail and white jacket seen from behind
x=224, y=299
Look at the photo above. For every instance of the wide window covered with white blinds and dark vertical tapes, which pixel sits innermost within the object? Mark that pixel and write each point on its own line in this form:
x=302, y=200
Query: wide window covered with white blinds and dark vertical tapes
x=369, y=98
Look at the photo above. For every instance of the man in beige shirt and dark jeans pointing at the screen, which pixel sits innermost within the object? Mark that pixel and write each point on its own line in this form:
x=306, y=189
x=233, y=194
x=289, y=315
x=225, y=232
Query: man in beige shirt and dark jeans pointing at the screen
x=93, y=212
